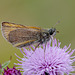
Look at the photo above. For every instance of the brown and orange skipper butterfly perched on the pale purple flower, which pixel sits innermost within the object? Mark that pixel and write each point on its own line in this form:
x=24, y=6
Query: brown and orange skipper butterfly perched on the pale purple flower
x=22, y=36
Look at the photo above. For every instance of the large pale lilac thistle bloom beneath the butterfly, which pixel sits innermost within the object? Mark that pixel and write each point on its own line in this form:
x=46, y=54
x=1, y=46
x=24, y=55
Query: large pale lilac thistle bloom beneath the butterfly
x=51, y=60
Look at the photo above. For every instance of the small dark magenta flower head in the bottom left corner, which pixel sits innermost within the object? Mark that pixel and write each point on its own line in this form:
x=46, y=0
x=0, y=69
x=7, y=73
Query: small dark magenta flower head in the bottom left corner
x=11, y=71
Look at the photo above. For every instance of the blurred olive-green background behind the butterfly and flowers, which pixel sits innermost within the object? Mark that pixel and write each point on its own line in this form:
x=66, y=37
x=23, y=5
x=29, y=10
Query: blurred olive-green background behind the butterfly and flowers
x=40, y=13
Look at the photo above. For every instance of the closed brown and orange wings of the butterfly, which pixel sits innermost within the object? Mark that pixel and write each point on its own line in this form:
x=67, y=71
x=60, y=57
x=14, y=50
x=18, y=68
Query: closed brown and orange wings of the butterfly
x=20, y=35
